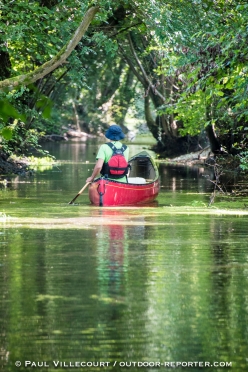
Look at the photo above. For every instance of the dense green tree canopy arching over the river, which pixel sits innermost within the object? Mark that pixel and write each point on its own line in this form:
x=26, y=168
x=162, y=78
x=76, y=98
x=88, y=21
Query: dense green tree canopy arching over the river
x=185, y=61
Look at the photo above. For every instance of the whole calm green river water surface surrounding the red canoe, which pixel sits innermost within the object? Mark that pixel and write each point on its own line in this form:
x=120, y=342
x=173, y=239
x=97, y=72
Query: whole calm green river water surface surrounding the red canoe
x=103, y=289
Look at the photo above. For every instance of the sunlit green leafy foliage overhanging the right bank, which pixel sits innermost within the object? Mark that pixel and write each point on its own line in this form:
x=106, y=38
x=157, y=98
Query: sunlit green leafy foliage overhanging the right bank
x=211, y=68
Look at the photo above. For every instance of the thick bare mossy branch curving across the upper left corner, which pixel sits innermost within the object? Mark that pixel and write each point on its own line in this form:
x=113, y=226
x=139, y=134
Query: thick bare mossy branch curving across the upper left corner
x=57, y=60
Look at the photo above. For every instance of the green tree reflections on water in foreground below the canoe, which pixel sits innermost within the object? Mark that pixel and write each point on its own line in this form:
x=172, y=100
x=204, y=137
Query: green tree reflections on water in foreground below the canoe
x=164, y=287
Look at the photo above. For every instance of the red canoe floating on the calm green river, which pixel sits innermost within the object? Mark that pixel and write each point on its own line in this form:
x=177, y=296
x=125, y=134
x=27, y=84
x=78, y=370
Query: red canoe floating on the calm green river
x=142, y=186
